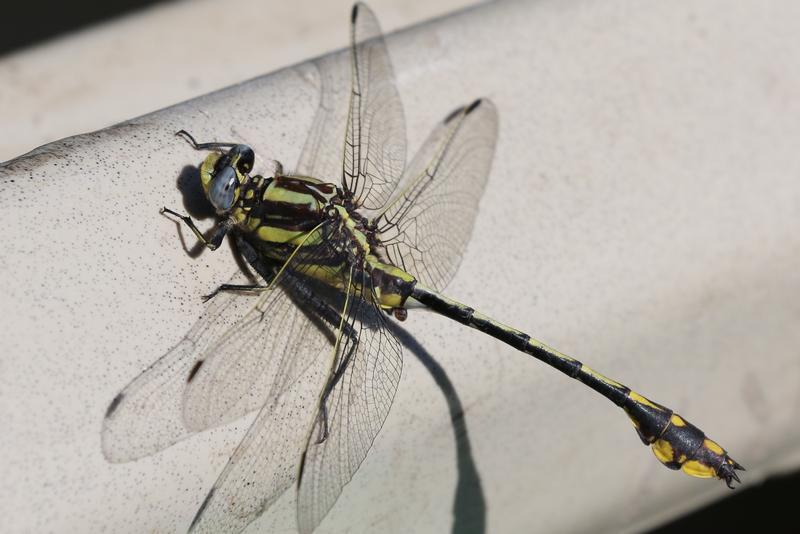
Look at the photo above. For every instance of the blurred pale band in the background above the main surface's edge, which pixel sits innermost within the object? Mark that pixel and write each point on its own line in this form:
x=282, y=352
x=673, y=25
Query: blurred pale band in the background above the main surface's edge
x=165, y=54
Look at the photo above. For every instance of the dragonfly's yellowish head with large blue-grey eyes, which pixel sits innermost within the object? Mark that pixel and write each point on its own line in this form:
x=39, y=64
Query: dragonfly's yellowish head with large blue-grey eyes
x=222, y=174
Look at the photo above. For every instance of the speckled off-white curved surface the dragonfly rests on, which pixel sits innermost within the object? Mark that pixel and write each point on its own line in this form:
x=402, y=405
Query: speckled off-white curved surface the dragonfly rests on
x=642, y=215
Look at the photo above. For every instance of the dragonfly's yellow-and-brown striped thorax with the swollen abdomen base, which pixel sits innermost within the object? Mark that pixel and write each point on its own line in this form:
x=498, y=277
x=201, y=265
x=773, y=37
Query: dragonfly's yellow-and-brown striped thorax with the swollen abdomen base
x=279, y=215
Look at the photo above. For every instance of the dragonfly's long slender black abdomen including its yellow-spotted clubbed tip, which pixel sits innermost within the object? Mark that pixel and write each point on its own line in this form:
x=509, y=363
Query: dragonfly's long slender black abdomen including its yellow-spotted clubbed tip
x=676, y=443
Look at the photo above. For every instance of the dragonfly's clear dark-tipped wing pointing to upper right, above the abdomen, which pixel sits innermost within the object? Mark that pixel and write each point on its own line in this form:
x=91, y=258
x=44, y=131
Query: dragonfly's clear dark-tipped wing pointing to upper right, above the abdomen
x=427, y=224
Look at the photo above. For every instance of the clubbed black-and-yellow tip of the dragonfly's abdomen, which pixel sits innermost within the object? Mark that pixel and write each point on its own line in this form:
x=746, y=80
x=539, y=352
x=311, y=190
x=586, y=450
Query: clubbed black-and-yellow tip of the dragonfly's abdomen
x=678, y=444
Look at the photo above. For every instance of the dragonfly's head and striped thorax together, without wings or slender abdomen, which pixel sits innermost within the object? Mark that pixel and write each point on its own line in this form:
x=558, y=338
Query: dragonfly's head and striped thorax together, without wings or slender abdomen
x=304, y=219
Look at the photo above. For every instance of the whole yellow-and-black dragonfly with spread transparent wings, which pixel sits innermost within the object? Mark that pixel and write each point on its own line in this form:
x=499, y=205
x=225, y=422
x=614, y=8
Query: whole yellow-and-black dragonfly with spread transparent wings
x=351, y=240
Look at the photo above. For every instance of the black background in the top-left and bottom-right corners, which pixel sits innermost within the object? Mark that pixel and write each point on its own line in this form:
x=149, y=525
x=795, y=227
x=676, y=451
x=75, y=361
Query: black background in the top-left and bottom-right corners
x=753, y=506
